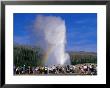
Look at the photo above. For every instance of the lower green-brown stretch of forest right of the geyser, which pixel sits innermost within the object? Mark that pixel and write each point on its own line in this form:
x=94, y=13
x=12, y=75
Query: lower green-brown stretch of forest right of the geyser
x=83, y=57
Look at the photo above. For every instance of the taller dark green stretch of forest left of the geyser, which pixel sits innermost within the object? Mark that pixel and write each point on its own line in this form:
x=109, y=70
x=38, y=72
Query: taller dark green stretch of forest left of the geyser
x=26, y=55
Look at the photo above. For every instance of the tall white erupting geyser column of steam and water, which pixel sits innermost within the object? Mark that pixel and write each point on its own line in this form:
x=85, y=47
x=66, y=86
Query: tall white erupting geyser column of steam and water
x=51, y=32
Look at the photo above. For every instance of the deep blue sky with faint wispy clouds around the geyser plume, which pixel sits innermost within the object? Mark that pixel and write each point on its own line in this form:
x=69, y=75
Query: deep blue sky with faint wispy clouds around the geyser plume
x=81, y=29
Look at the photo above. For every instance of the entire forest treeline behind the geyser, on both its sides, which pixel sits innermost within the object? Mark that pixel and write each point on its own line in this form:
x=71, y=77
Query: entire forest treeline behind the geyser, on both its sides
x=32, y=56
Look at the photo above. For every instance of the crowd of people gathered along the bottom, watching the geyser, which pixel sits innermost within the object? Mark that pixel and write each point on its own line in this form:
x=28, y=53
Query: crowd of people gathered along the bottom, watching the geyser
x=59, y=70
